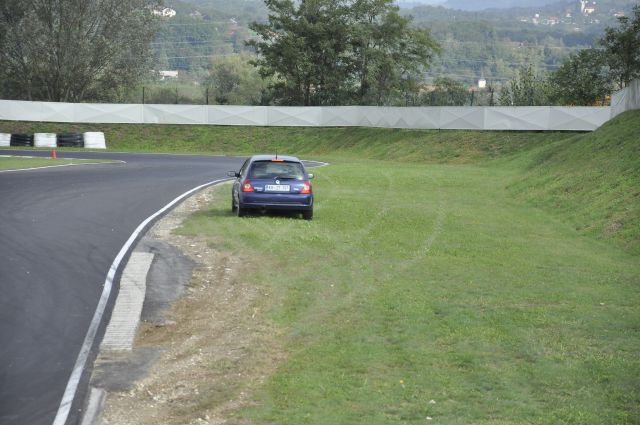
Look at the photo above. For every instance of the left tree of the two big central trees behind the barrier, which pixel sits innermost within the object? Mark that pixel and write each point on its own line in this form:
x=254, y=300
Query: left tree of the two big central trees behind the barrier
x=304, y=48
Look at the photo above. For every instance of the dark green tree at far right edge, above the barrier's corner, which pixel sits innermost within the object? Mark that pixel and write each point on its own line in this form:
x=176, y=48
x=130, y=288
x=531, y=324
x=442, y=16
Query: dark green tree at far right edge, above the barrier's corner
x=622, y=48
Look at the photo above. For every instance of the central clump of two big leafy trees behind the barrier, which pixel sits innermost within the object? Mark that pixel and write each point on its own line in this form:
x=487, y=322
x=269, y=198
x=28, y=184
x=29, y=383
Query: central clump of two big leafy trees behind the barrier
x=332, y=52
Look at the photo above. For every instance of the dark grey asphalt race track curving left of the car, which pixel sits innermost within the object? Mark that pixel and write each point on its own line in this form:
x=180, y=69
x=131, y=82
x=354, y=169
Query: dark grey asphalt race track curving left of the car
x=60, y=230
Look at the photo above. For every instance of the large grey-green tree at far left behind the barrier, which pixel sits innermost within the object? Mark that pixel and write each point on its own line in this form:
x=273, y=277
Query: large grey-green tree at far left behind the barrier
x=74, y=50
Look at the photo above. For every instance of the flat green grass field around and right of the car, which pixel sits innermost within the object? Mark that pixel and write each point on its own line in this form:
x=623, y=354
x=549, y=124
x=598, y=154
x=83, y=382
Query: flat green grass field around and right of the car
x=417, y=283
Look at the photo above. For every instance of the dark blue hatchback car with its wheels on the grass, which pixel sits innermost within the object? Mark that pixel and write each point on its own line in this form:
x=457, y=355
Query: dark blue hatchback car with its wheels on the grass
x=272, y=182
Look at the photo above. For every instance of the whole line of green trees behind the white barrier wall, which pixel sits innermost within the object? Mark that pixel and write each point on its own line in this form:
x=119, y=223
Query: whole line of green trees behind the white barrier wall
x=308, y=52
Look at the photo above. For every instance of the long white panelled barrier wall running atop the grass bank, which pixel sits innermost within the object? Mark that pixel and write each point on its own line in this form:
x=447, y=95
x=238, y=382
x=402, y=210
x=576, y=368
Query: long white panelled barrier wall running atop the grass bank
x=462, y=118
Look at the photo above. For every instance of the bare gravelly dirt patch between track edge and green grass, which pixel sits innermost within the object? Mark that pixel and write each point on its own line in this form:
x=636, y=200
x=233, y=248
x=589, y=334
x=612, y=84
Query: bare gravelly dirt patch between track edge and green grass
x=216, y=345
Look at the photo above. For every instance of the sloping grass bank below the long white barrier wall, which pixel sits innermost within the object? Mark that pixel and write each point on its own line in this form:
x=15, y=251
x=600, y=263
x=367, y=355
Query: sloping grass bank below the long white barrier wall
x=589, y=180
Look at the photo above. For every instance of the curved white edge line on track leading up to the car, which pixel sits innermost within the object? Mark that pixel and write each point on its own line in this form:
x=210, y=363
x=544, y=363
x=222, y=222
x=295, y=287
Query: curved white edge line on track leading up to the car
x=74, y=380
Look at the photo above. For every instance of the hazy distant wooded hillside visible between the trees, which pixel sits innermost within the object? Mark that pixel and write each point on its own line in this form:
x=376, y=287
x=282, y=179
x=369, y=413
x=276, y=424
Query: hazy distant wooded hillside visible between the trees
x=492, y=44
